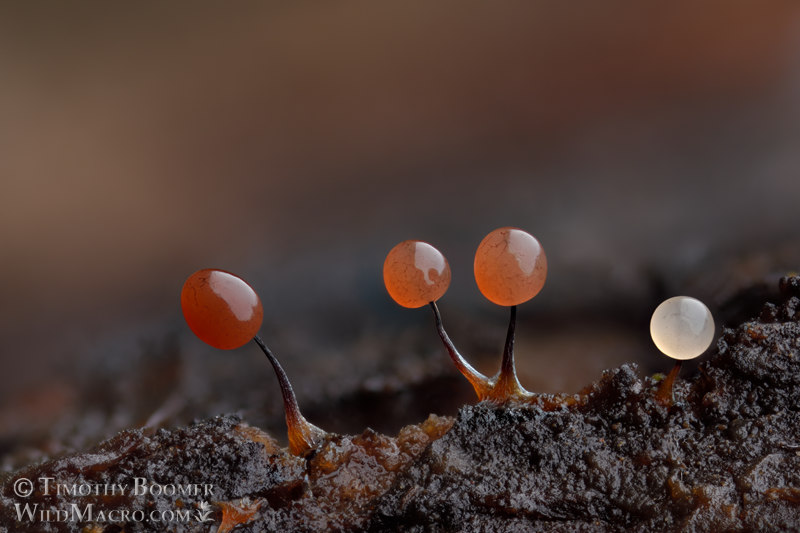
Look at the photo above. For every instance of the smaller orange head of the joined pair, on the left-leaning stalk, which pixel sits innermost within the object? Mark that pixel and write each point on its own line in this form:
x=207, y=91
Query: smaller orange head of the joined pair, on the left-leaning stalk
x=415, y=274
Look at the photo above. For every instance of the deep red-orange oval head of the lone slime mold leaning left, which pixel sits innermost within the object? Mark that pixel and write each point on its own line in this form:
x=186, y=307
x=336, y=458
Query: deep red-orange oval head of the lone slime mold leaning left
x=221, y=309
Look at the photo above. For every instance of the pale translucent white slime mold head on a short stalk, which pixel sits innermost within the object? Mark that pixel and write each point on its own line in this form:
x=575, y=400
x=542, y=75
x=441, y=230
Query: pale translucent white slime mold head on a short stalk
x=682, y=327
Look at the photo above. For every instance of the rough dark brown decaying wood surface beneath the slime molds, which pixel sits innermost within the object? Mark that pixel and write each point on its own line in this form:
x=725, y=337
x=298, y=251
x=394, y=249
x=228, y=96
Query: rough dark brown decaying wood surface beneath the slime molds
x=723, y=456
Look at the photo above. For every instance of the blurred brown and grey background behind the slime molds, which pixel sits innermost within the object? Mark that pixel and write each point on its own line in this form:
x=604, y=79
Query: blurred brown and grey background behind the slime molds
x=653, y=150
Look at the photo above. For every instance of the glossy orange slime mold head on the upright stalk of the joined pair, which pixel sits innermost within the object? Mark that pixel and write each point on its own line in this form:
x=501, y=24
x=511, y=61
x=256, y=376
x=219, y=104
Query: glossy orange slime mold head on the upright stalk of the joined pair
x=510, y=266
